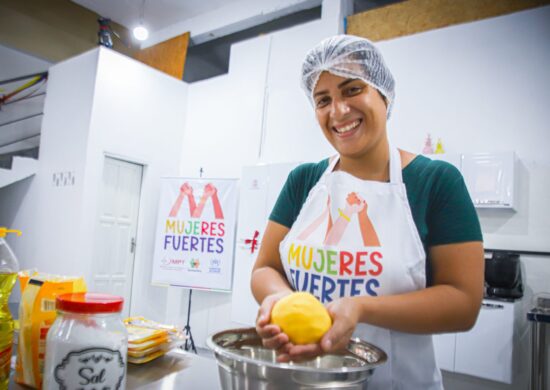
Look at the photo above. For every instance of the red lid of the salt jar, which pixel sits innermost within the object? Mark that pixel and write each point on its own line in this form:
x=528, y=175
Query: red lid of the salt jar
x=89, y=303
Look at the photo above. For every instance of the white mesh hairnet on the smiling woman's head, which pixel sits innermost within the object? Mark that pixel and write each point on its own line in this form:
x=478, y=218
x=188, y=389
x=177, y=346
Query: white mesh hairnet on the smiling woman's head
x=351, y=57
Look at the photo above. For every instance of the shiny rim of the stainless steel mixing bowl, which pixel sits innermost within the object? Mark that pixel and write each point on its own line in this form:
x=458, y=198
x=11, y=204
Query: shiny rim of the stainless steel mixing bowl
x=285, y=366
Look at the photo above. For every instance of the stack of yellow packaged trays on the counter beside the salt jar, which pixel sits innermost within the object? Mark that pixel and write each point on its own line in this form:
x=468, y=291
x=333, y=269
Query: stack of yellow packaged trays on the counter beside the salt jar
x=147, y=340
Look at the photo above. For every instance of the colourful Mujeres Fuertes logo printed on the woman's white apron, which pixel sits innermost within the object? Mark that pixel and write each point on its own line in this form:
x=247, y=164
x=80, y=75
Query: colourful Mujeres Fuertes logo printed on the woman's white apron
x=333, y=272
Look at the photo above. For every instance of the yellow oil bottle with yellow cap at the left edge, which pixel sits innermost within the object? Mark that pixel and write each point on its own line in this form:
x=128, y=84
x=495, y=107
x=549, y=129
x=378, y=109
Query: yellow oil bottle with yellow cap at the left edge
x=8, y=274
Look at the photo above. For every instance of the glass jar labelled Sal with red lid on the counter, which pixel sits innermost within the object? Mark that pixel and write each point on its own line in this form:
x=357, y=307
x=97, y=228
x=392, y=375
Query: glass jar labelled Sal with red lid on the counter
x=86, y=347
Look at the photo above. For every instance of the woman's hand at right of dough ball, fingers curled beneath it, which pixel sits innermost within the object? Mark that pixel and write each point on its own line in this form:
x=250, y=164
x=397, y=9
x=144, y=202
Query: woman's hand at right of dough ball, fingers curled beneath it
x=345, y=315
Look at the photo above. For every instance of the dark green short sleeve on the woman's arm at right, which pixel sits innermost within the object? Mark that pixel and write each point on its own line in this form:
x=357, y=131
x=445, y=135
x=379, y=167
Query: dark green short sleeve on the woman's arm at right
x=451, y=217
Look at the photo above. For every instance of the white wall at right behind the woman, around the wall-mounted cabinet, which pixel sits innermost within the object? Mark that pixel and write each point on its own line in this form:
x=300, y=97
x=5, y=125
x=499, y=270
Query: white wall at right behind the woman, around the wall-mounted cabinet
x=482, y=87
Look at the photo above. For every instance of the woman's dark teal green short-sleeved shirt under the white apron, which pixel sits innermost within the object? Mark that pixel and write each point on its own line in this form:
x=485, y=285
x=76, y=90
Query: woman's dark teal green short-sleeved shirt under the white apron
x=440, y=204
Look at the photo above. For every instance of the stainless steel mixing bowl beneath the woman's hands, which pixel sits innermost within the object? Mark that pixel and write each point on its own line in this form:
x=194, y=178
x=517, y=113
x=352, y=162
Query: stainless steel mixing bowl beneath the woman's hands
x=244, y=364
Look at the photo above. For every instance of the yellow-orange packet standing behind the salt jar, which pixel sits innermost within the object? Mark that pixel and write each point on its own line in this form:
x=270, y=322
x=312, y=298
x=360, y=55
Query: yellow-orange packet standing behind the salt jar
x=36, y=315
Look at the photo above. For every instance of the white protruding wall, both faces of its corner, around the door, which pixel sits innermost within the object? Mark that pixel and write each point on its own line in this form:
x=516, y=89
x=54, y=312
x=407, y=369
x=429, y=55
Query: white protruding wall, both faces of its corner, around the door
x=99, y=103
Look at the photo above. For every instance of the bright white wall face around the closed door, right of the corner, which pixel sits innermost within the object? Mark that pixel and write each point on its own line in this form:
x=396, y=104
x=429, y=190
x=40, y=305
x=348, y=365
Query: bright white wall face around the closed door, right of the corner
x=138, y=115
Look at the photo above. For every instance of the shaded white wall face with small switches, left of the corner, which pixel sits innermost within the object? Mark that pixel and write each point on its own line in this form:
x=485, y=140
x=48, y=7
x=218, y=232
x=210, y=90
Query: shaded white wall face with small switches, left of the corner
x=36, y=210
